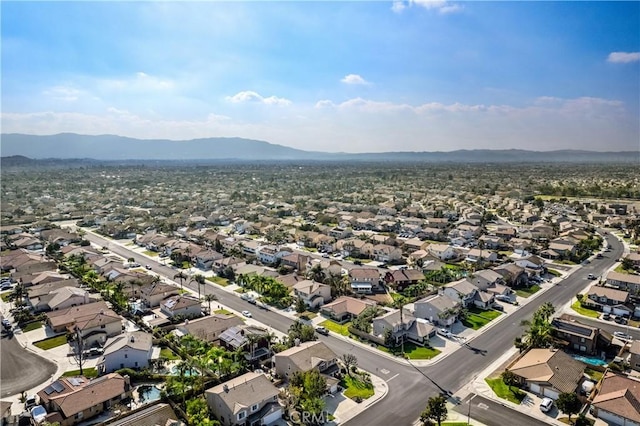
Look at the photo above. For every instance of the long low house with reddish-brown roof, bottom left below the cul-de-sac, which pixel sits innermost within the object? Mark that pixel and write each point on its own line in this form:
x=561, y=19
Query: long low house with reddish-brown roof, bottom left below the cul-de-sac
x=73, y=400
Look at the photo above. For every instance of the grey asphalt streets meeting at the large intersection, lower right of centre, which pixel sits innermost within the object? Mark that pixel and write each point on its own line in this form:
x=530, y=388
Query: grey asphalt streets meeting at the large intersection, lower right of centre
x=409, y=387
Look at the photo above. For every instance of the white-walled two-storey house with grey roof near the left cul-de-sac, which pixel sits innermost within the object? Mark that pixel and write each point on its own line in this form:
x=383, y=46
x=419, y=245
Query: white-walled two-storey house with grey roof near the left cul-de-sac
x=128, y=350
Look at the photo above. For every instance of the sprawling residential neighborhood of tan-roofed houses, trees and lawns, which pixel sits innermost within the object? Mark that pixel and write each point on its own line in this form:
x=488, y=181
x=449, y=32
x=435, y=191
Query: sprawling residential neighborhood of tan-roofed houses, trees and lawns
x=230, y=311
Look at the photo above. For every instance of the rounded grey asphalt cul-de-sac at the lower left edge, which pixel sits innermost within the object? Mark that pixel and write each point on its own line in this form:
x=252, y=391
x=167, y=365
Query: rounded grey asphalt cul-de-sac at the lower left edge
x=21, y=369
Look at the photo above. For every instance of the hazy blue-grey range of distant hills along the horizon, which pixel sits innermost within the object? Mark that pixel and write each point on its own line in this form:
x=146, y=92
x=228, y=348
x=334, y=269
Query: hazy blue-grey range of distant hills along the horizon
x=18, y=149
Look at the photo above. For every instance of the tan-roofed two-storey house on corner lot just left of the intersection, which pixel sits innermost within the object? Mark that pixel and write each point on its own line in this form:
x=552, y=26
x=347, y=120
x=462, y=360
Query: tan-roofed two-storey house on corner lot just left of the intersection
x=304, y=357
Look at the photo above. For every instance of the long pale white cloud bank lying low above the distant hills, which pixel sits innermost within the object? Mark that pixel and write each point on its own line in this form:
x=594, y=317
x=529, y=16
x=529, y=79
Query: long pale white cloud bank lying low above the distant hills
x=365, y=125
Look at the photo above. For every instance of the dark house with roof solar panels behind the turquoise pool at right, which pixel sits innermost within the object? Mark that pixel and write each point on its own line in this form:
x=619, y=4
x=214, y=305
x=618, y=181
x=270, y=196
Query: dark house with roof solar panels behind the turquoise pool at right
x=580, y=337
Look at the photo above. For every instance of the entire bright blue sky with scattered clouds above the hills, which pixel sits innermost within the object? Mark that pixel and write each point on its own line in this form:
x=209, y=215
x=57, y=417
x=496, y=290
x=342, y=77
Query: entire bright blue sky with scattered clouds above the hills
x=329, y=76
